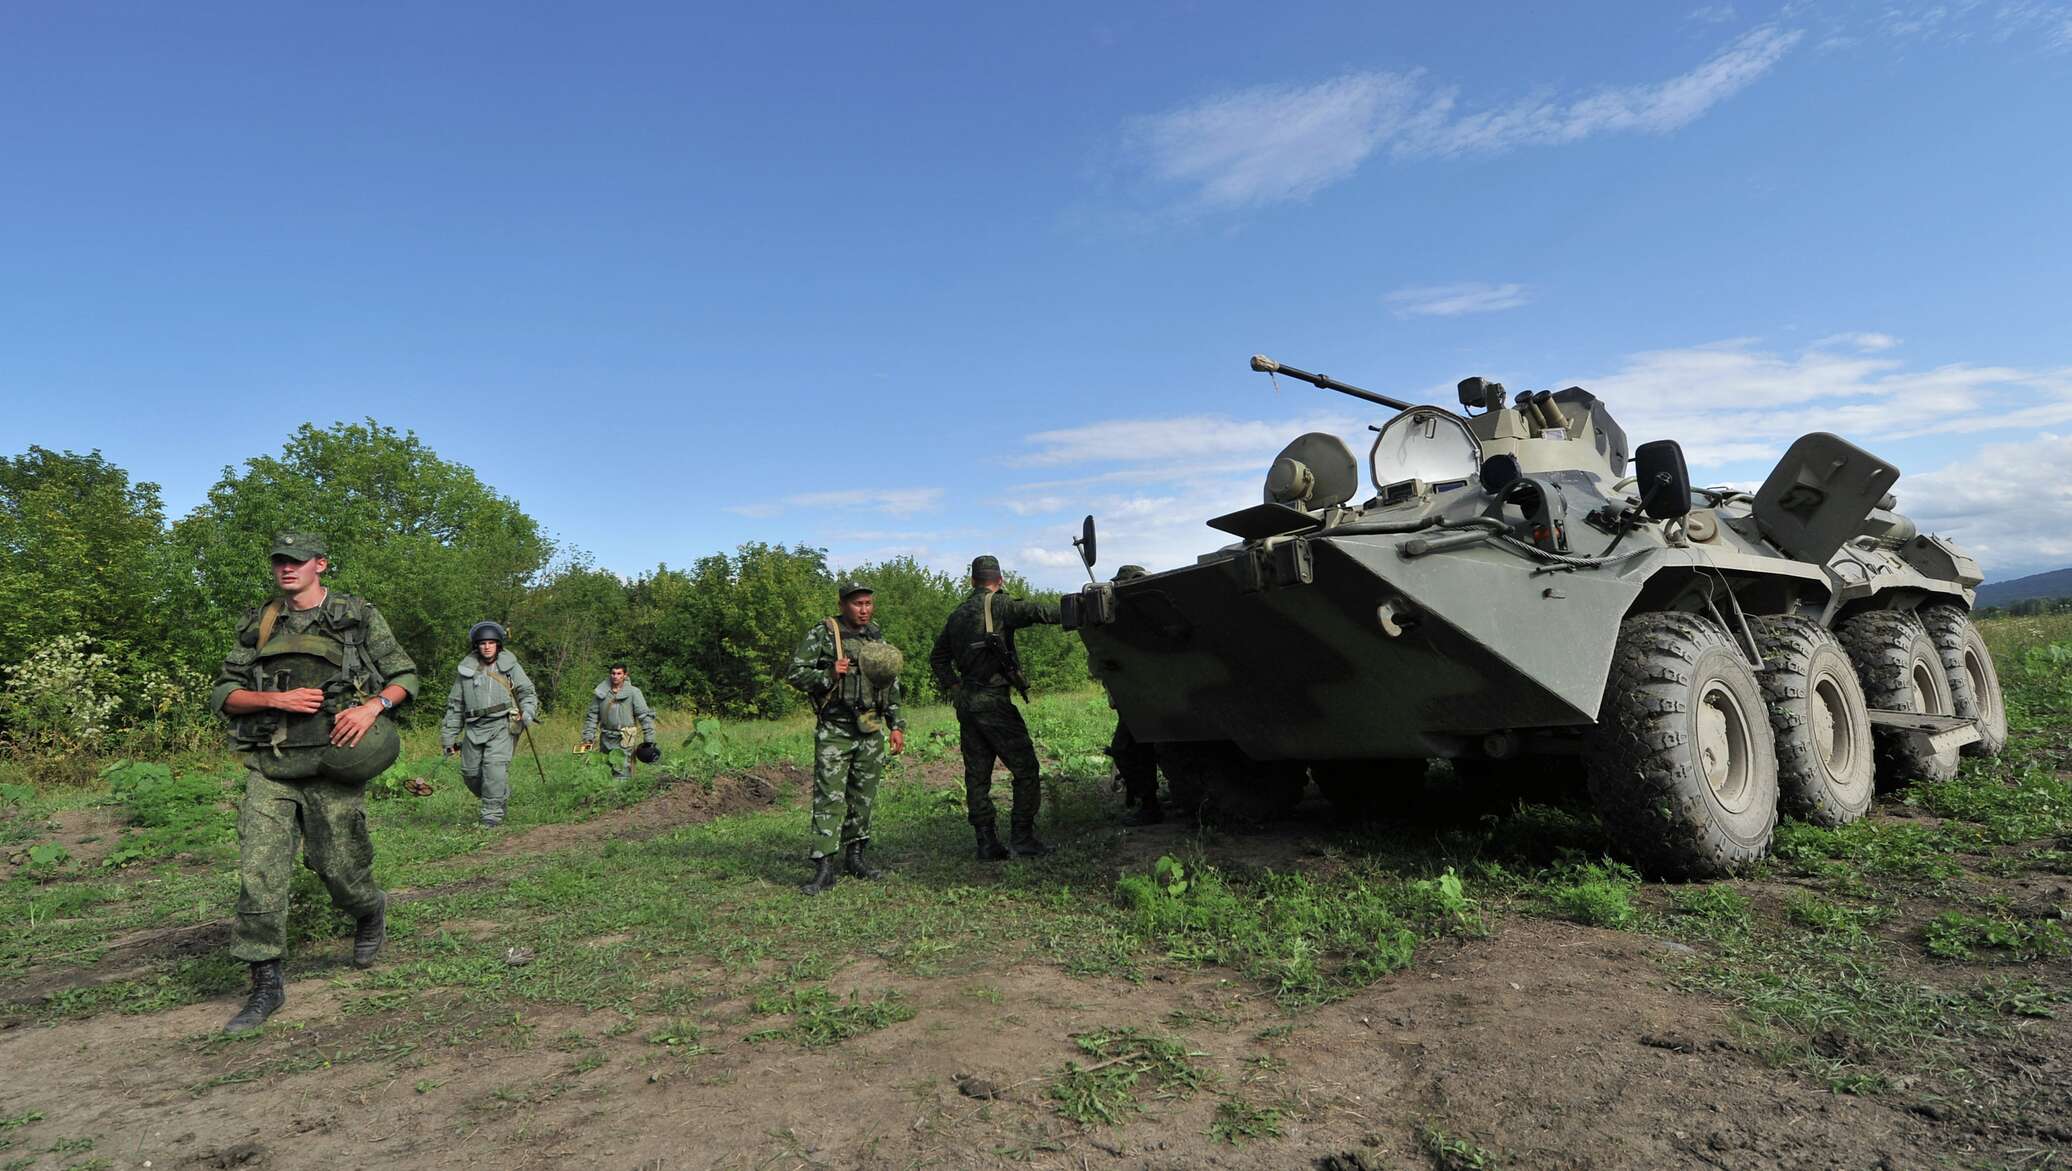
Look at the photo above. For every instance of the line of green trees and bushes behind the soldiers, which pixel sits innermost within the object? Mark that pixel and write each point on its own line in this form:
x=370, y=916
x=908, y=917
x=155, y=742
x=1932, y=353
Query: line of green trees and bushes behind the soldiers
x=115, y=619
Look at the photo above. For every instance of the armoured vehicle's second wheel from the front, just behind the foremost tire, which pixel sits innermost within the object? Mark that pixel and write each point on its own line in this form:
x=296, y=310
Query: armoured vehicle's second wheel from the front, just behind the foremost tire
x=1826, y=766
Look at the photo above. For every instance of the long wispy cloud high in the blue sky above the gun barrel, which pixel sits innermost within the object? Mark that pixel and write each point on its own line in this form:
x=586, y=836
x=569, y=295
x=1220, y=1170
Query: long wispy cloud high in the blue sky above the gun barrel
x=1286, y=142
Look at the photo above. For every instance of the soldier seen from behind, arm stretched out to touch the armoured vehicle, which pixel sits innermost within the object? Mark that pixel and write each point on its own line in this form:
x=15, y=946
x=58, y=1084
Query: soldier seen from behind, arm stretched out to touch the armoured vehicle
x=975, y=664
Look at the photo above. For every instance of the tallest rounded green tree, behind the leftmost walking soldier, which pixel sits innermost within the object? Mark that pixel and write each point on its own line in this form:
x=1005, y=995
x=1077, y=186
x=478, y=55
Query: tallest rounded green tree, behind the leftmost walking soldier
x=422, y=538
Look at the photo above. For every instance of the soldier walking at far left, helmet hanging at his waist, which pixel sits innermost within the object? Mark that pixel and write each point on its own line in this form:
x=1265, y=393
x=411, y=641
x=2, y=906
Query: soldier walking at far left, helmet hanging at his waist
x=308, y=689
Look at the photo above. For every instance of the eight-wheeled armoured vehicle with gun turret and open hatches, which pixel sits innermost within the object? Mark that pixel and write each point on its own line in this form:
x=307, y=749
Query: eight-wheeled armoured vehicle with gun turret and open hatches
x=1524, y=588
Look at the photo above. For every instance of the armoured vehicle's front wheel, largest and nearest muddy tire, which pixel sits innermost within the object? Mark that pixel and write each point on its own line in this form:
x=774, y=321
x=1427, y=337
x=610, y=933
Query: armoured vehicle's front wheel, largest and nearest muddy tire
x=1681, y=762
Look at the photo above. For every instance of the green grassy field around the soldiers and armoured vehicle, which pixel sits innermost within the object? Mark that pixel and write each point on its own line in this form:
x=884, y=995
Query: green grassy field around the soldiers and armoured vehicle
x=1895, y=961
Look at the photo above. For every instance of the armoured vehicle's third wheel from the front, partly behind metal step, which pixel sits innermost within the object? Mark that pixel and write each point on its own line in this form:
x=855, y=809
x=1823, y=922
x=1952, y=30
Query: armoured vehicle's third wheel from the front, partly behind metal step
x=1901, y=670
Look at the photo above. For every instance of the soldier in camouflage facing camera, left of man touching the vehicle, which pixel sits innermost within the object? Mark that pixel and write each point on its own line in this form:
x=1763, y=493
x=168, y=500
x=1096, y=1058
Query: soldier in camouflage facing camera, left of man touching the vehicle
x=848, y=741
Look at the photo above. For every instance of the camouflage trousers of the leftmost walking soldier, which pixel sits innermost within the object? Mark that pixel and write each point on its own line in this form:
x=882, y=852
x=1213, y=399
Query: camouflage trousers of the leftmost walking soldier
x=328, y=824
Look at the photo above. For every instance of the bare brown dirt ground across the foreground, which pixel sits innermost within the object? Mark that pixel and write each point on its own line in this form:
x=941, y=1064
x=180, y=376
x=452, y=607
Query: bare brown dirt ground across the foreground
x=1543, y=1046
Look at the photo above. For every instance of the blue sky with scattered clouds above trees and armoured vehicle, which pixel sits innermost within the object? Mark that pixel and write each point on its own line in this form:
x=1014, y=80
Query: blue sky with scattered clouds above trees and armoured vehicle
x=940, y=279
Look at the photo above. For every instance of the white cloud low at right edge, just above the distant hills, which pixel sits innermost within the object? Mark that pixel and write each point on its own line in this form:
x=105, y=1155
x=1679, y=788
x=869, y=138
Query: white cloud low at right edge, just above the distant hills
x=1996, y=505
